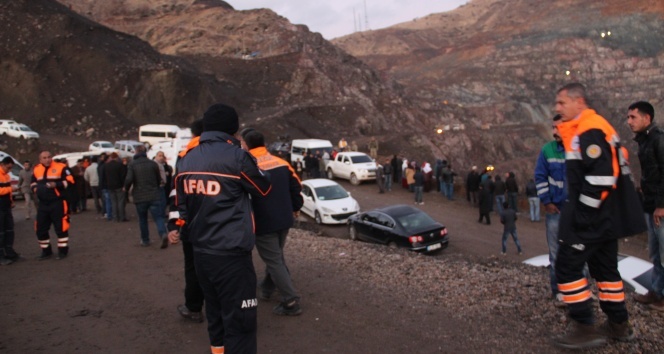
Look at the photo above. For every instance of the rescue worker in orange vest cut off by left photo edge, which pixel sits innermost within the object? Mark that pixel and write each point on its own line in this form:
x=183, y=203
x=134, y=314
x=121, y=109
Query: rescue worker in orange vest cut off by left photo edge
x=7, y=253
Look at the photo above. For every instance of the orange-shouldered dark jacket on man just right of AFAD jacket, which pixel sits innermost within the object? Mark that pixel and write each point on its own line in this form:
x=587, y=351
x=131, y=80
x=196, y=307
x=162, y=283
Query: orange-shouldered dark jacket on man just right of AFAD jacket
x=274, y=212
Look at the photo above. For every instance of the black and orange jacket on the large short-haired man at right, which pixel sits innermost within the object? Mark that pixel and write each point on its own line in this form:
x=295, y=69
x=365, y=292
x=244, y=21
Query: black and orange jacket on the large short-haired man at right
x=593, y=166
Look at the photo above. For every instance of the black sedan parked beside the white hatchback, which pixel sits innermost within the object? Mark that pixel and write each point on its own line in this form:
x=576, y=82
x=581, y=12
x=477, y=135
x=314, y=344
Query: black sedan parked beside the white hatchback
x=399, y=225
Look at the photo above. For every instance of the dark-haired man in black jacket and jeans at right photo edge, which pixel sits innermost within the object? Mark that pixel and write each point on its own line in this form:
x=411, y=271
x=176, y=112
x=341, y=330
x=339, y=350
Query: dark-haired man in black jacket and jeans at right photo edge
x=651, y=155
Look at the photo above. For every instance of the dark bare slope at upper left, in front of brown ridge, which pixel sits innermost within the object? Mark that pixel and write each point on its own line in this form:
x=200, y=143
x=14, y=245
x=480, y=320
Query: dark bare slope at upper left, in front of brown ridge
x=63, y=73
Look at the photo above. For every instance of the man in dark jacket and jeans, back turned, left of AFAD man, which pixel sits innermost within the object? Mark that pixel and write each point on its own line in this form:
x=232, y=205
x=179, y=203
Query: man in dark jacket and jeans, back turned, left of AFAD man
x=143, y=174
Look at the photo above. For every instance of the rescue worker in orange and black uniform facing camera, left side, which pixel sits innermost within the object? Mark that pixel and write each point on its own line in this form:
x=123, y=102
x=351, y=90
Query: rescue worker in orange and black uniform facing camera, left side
x=49, y=182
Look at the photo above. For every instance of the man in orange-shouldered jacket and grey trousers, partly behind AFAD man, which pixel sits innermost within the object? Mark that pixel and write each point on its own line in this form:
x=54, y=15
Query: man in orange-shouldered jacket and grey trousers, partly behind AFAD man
x=274, y=215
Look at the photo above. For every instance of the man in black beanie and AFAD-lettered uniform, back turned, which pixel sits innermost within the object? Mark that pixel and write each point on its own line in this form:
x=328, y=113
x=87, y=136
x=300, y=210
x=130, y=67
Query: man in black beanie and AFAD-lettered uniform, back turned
x=213, y=184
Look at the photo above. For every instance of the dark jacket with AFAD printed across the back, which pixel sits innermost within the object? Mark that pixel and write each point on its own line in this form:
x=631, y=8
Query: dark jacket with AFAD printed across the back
x=213, y=184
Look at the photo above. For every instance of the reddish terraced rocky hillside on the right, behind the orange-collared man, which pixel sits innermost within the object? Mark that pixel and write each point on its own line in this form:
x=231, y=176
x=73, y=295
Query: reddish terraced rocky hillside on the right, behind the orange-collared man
x=494, y=65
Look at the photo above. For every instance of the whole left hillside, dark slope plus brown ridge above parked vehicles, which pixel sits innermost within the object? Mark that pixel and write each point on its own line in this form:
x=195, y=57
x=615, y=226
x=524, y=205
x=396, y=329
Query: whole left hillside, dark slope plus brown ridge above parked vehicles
x=281, y=77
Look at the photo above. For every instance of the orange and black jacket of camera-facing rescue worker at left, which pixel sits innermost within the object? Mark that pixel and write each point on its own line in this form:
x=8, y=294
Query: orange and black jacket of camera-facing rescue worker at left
x=57, y=173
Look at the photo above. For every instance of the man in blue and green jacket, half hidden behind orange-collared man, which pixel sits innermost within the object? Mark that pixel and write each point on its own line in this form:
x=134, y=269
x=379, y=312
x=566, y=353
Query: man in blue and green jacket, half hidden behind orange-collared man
x=550, y=183
